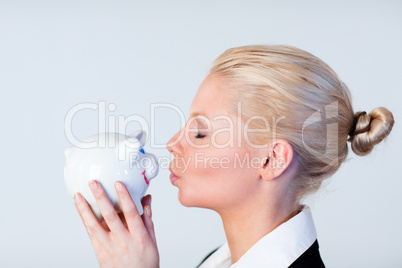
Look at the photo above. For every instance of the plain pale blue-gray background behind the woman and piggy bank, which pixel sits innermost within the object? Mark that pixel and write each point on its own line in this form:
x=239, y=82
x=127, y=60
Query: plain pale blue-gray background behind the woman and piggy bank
x=56, y=54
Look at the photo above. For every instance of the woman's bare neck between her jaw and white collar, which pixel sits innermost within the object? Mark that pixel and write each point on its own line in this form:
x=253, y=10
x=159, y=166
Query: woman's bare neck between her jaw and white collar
x=245, y=226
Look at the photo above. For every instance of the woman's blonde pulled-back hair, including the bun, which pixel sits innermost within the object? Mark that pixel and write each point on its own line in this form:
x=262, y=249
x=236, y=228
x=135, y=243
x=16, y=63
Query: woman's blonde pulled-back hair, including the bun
x=275, y=81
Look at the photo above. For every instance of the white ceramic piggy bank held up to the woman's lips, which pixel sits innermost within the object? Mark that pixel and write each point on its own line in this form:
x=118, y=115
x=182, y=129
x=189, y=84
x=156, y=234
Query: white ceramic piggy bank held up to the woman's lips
x=107, y=158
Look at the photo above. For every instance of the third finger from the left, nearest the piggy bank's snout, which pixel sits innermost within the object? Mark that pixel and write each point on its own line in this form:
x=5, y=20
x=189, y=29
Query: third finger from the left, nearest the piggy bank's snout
x=130, y=211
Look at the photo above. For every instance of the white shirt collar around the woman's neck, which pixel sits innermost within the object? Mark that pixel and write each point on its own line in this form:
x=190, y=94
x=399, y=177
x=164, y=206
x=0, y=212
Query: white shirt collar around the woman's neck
x=279, y=248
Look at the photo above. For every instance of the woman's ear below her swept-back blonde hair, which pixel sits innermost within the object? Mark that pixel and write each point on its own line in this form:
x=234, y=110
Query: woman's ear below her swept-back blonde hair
x=280, y=155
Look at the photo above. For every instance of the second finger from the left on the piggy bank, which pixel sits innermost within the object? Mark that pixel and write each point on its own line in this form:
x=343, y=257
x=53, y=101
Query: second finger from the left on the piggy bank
x=108, y=212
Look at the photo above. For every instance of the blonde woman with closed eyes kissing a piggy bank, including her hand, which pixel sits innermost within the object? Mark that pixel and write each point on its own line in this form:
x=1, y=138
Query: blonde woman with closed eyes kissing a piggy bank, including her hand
x=266, y=126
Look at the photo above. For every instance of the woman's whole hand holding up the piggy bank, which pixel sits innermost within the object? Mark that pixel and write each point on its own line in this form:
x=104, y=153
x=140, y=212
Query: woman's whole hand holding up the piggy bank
x=125, y=240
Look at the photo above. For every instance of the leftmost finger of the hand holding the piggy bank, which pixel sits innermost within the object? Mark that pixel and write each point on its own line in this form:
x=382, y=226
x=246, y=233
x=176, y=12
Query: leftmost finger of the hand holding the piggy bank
x=93, y=227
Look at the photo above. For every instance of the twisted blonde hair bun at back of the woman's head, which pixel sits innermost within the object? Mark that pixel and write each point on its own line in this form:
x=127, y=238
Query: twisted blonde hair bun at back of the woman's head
x=370, y=129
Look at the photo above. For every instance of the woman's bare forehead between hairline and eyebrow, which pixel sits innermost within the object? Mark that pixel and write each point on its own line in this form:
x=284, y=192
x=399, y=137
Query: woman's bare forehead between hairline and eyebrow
x=210, y=100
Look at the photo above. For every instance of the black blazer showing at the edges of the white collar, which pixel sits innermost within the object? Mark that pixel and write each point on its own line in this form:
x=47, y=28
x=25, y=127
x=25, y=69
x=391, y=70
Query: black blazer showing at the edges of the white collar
x=309, y=259
